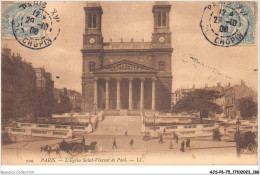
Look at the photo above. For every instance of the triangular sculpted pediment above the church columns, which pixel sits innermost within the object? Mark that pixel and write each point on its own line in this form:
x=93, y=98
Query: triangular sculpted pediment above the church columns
x=124, y=66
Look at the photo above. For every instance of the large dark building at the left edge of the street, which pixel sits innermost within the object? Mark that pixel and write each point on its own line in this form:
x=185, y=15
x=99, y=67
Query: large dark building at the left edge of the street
x=18, y=86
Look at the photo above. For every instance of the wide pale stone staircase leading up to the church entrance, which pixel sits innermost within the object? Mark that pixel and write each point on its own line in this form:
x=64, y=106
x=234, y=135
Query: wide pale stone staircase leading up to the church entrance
x=116, y=125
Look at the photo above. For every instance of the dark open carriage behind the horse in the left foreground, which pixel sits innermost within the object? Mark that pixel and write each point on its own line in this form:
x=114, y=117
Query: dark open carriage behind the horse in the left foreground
x=75, y=148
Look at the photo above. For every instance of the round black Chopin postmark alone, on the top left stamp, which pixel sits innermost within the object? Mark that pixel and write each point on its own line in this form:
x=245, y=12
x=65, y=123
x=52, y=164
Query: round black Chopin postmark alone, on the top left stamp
x=33, y=27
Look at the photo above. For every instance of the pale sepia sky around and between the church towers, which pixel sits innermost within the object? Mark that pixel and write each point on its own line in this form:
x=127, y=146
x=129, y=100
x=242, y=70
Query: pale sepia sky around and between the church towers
x=135, y=20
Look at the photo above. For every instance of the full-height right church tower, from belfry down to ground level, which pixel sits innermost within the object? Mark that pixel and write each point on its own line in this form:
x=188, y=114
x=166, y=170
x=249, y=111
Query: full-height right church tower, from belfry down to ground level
x=162, y=54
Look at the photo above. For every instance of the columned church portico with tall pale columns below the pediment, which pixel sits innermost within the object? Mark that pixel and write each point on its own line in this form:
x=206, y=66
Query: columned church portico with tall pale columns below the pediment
x=124, y=93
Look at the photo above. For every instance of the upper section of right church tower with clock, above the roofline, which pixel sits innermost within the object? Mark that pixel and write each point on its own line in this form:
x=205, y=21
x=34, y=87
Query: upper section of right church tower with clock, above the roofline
x=161, y=36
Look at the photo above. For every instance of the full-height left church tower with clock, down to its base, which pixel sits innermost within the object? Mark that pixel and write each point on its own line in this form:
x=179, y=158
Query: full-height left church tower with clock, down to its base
x=92, y=50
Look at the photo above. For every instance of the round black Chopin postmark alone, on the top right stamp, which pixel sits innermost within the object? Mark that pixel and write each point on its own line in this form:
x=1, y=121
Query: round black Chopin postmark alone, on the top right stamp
x=223, y=25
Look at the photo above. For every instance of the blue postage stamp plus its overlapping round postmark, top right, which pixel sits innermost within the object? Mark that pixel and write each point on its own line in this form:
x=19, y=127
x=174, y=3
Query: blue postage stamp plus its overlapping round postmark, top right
x=228, y=24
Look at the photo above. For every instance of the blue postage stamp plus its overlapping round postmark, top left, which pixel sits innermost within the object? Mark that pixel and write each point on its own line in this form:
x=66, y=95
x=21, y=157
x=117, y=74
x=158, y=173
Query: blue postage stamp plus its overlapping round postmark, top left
x=30, y=24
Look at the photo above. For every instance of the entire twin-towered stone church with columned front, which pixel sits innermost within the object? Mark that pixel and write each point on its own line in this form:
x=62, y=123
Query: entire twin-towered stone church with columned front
x=127, y=76
